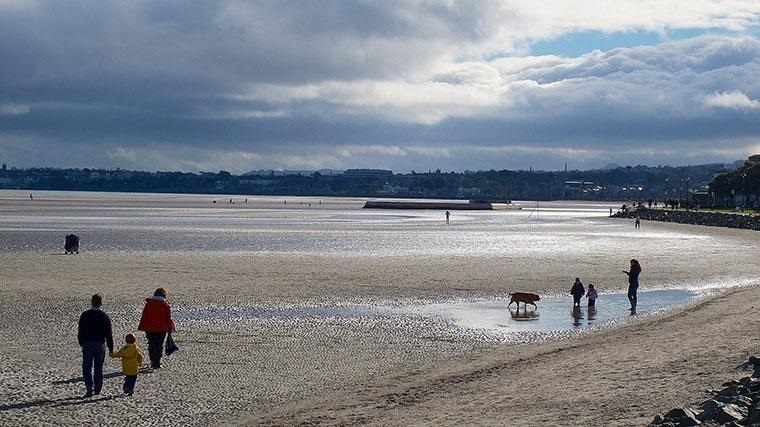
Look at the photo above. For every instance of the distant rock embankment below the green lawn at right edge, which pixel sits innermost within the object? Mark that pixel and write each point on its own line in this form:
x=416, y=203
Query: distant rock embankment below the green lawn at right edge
x=715, y=219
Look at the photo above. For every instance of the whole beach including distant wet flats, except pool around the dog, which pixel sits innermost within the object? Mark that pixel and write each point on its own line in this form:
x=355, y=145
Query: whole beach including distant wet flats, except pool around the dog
x=243, y=360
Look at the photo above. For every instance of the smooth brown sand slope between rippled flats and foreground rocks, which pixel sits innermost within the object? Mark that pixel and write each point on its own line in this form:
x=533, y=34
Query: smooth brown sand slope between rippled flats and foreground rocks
x=617, y=388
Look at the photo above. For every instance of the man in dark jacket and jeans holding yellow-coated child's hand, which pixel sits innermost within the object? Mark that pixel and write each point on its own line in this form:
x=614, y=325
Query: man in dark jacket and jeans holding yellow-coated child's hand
x=94, y=335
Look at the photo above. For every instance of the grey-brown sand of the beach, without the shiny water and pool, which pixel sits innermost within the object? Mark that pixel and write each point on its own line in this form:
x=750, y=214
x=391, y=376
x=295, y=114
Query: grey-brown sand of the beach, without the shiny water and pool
x=384, y=371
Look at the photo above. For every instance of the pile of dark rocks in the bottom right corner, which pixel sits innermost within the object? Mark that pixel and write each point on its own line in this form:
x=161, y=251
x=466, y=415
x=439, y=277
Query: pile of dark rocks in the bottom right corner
x=738, y=404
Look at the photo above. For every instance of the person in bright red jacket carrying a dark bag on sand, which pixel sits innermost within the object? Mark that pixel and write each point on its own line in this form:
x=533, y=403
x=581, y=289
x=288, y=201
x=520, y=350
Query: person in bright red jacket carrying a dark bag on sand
x=156, y=321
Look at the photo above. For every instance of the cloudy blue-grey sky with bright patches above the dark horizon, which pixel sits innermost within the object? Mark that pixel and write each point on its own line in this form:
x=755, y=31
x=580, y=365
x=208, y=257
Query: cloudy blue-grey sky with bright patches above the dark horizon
x=400, y=85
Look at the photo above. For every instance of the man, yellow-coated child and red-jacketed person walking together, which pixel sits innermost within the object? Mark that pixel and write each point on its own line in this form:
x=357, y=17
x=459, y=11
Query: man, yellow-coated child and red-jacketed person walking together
x=95, y=334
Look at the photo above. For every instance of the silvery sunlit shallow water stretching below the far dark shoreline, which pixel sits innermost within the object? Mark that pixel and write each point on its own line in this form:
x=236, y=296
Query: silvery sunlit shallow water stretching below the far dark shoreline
x=192, y=223
